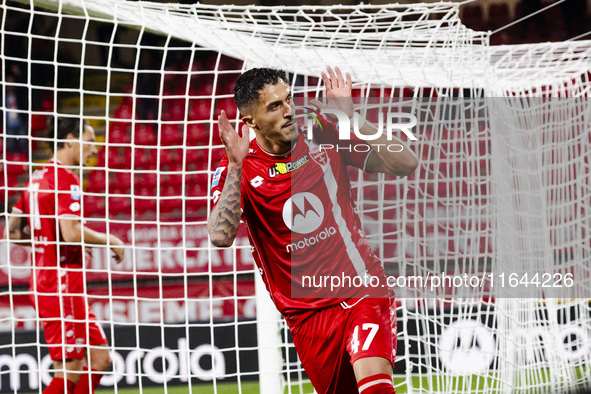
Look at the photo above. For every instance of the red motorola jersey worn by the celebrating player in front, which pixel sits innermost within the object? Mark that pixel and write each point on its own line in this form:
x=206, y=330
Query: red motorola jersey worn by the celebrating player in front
x=302, y=222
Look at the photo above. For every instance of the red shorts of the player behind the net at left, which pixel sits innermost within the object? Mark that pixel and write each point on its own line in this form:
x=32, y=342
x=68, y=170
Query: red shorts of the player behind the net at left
x=68, y=325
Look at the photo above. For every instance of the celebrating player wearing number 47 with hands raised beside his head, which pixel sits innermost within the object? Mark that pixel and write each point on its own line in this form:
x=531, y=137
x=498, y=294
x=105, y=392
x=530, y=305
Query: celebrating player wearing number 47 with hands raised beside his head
x=294, y=195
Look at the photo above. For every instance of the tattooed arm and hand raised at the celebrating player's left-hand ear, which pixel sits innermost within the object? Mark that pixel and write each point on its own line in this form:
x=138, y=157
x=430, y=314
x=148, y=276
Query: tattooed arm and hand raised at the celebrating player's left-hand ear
x=225, y=217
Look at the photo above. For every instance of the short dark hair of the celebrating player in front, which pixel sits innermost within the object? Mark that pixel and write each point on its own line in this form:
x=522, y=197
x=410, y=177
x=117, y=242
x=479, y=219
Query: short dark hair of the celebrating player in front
x=251, y=82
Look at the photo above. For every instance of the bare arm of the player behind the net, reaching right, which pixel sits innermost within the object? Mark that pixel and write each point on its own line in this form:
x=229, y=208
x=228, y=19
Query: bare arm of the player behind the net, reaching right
x=74, y=231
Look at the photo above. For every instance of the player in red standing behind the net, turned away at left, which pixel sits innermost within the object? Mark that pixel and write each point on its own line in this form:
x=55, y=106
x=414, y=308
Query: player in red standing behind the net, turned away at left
x=48, y=213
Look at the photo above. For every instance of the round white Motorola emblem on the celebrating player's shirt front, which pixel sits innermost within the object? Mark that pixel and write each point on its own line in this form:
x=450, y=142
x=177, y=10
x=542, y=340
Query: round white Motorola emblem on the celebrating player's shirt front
x=303, y=213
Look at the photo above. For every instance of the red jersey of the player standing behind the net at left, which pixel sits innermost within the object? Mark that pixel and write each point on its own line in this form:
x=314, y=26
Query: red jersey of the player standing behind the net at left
x=43, y=202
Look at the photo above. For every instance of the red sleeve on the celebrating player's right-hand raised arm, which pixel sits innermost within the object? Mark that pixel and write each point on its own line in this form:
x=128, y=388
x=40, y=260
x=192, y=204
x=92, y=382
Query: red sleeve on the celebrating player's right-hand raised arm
x=354, y=152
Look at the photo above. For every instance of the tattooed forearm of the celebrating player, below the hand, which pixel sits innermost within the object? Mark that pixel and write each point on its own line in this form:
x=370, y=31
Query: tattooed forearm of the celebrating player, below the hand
x=225, y=218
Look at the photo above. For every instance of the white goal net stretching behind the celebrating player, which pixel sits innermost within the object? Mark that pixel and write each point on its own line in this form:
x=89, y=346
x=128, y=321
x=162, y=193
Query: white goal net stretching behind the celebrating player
x=500, y=201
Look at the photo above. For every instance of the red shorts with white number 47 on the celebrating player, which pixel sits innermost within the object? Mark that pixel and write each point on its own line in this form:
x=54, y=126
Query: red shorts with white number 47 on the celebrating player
x=332, y=339
